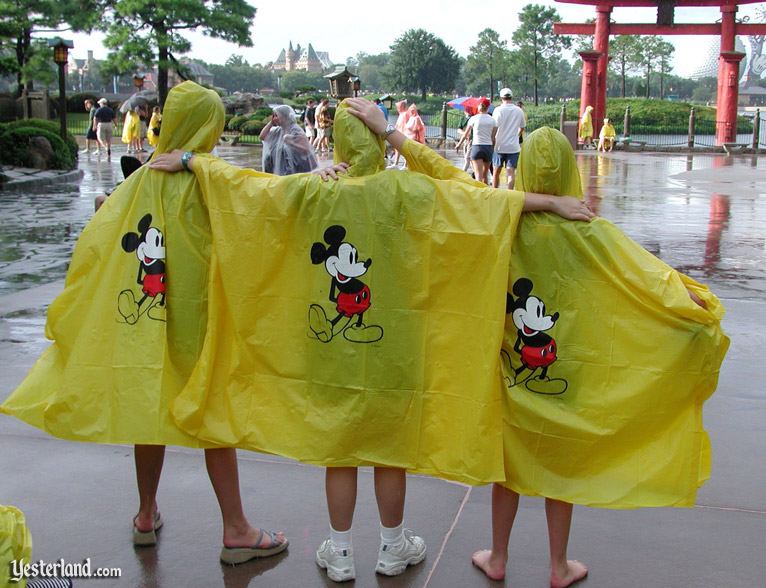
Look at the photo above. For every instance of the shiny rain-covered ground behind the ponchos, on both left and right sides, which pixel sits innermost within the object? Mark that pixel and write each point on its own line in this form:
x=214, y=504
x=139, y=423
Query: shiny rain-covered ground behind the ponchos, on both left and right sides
x=703, y=214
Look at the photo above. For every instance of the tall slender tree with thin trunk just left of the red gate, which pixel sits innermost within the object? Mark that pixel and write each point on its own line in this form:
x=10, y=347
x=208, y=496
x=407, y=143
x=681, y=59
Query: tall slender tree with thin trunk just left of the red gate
x=536, y=41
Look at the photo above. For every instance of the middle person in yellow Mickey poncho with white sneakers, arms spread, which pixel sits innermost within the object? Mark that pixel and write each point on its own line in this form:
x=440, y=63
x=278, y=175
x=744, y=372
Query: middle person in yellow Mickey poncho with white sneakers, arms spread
x=336, y=403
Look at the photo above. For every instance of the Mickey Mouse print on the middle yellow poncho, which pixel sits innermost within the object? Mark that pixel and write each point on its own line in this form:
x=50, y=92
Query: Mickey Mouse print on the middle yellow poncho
x=351, y=295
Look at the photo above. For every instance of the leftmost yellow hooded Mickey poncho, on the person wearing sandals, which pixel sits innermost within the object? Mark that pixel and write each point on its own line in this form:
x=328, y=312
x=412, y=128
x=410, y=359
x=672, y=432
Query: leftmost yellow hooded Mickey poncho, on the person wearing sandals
x=130, y=323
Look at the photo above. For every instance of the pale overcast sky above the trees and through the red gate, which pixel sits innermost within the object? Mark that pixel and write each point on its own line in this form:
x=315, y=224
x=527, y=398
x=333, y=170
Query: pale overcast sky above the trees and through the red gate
x=372, y=27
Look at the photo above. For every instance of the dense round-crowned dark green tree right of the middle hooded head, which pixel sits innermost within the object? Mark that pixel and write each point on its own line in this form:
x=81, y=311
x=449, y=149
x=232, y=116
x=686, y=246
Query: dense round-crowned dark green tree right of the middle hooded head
x=422, y=62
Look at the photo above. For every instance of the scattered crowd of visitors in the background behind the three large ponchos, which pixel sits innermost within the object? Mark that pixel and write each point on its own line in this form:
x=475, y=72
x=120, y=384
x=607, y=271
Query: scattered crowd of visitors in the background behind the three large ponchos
x=490, y=137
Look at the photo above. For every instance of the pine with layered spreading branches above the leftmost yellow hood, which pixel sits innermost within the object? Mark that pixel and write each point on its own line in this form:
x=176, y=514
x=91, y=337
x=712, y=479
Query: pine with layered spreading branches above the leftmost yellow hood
x=149, y=31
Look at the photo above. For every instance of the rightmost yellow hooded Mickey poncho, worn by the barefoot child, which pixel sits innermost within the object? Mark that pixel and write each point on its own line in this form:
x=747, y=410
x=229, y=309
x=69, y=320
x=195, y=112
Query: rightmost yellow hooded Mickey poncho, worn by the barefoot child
x=628, y=358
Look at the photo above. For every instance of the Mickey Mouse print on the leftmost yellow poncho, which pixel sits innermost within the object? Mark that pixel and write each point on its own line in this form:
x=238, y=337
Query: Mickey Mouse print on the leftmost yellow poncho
x=149, y=245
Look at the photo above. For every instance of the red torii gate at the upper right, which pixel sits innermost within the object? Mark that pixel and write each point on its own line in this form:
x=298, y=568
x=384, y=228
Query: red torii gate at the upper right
x=593, y=90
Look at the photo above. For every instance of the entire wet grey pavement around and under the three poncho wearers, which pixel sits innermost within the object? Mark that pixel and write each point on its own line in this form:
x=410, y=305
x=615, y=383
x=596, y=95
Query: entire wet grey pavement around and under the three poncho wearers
x=704, y=214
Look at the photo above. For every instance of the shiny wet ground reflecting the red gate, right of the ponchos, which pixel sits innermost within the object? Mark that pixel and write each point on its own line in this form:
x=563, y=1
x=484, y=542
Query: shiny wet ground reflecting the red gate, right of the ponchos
x=702, y=214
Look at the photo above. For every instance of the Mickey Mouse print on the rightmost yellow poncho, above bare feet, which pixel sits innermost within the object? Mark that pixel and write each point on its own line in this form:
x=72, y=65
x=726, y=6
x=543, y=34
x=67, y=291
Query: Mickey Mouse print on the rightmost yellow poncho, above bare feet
x=535, y=347
